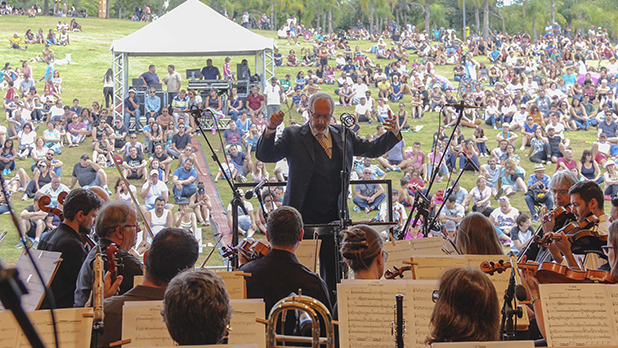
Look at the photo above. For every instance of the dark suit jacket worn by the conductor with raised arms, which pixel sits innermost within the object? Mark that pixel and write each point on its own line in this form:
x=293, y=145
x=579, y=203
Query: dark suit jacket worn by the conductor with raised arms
x=299, y=146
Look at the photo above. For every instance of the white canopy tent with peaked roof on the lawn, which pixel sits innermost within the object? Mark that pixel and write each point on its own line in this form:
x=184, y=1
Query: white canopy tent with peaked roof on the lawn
x=184, y=31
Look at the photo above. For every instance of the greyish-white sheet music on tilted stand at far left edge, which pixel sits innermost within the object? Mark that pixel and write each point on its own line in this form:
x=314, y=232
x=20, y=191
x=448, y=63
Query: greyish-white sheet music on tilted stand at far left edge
x=47, y=261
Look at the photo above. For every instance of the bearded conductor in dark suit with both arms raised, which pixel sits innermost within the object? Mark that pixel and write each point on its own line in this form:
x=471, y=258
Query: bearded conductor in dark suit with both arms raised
x=314, y=154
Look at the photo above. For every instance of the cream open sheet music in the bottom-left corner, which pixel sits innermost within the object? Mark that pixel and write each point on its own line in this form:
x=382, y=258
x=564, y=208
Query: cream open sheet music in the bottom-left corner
x=73, y=328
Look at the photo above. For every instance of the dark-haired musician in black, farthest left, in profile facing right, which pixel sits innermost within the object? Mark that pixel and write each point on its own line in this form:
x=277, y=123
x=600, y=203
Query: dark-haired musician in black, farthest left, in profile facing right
x=80, y=211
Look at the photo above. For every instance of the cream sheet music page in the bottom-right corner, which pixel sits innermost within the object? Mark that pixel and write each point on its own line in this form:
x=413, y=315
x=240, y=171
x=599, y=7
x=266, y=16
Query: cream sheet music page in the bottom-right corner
x=577, y=315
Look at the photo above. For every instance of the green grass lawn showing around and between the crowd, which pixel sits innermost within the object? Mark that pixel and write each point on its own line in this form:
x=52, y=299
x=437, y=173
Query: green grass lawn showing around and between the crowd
x=90, y=50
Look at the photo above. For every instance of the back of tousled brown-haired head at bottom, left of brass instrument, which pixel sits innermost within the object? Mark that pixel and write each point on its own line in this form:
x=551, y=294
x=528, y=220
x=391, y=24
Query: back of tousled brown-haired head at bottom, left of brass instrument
x=196, y=299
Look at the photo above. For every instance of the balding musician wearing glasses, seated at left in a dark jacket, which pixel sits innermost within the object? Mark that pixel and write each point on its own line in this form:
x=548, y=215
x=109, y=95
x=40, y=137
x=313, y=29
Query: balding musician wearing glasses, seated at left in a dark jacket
x=116, y=223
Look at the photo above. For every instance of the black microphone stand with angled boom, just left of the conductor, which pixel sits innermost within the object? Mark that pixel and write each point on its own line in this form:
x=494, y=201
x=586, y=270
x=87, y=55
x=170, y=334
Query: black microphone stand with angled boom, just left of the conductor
x=237, y=200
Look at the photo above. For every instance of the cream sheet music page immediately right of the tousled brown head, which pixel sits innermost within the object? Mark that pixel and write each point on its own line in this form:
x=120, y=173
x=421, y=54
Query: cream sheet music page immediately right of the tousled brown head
x=243, y=327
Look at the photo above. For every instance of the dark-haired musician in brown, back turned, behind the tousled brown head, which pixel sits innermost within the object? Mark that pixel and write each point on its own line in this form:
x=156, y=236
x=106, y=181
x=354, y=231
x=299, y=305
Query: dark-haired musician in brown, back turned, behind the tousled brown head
x=172, y=251
